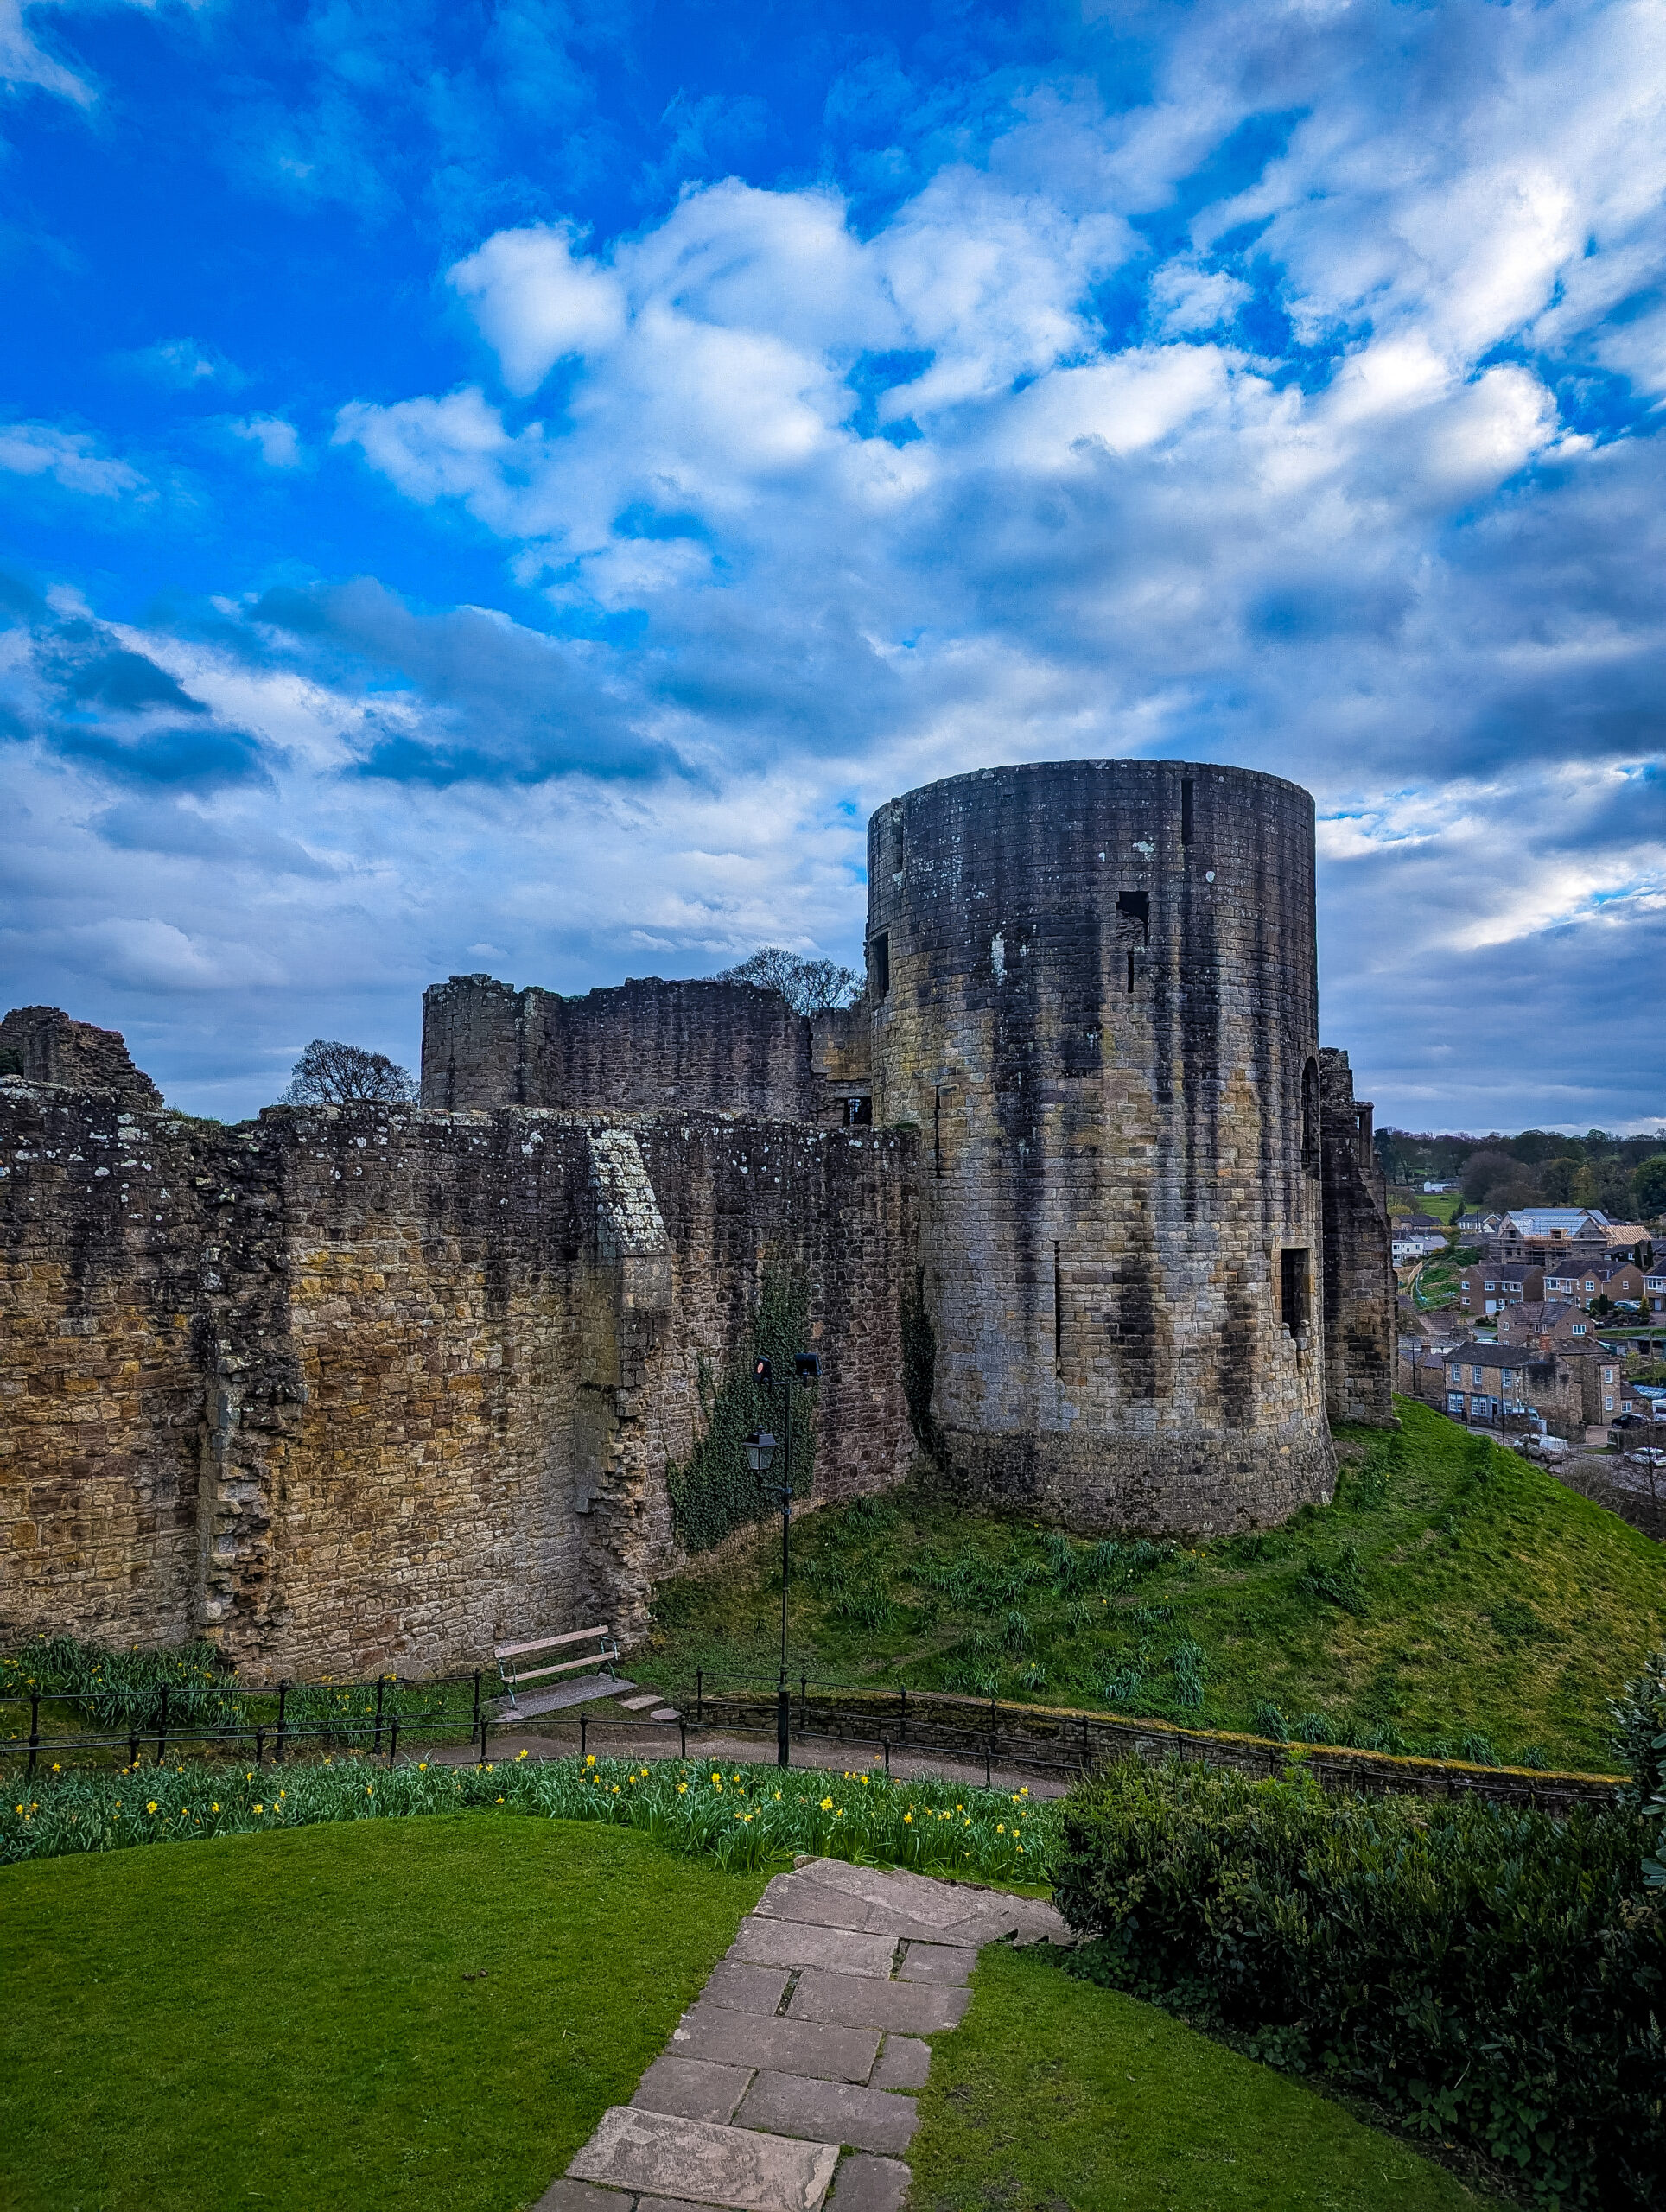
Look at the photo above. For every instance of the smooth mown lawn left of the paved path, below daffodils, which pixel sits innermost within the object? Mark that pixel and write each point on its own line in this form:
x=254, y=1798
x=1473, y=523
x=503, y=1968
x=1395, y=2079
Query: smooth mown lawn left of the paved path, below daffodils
x=395, y=2014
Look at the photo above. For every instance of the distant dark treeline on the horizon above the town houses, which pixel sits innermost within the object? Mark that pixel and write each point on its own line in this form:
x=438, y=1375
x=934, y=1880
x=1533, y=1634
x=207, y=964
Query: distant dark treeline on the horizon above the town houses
x=1623, y=1176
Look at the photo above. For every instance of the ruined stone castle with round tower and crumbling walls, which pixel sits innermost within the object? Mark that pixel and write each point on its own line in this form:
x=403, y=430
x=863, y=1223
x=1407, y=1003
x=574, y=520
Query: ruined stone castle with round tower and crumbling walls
x=1074, y=1198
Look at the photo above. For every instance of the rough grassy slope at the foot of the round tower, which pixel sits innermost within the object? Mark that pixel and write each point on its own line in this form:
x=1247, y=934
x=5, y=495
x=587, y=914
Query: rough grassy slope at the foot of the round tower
x=1452, y=1600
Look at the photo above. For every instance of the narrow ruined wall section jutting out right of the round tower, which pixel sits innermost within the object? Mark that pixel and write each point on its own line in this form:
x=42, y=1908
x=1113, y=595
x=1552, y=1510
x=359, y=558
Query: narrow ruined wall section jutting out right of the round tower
x=1360, y=1262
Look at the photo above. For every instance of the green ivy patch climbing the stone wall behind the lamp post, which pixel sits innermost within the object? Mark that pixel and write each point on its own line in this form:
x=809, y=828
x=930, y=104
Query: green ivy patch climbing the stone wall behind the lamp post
x=714, y=1492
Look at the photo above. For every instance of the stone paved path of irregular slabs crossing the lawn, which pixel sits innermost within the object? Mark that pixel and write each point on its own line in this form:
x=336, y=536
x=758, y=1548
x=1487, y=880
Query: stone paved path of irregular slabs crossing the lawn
x=787, y=2085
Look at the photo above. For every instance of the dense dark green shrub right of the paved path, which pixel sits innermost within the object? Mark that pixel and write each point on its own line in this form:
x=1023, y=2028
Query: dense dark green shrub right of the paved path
x=1483, y=1972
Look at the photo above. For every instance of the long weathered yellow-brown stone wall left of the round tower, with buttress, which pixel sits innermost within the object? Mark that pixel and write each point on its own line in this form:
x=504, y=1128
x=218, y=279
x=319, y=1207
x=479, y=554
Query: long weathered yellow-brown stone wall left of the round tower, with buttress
x=382, y=1386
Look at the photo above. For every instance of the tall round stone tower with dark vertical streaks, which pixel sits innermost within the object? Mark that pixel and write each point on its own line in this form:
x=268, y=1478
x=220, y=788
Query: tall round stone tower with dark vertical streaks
x=1094, y=994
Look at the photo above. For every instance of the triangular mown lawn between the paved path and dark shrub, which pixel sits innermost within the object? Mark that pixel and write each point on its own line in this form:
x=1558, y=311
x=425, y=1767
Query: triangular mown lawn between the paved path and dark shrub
x=1059, y=2094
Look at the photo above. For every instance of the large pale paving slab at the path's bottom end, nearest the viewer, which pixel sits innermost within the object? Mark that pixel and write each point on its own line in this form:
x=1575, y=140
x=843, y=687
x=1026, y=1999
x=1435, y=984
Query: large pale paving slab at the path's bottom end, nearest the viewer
x=740, y=2169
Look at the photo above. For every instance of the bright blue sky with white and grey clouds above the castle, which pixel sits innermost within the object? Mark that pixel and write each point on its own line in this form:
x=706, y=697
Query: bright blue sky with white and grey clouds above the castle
x=512, y=488
